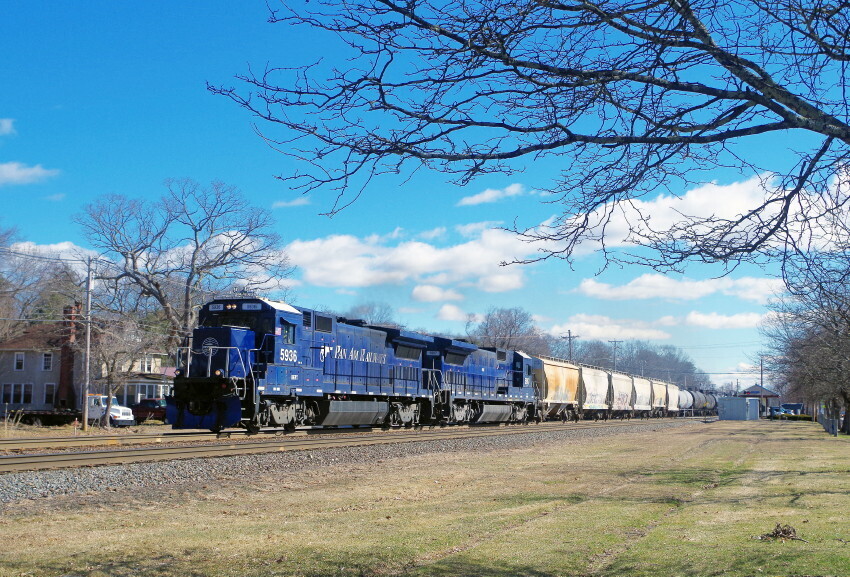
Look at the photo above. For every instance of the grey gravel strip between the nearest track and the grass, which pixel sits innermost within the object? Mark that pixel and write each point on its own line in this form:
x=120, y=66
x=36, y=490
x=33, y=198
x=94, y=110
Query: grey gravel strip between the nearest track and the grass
x=40, y=485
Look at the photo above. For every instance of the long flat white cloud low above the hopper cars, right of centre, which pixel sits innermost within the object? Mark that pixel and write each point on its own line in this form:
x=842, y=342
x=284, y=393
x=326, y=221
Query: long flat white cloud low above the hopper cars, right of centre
x=649, y=286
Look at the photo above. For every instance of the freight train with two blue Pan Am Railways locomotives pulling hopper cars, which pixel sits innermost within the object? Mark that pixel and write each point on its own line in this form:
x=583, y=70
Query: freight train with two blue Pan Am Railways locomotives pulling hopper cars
x=257, y=363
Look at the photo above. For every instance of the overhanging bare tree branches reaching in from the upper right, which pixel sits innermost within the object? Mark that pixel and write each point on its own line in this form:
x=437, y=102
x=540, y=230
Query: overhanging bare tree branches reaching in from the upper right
x=637, y=96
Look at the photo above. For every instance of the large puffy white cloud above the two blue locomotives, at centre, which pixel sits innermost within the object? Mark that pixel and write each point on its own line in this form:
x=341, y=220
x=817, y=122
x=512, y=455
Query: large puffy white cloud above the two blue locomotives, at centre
x=349, y=261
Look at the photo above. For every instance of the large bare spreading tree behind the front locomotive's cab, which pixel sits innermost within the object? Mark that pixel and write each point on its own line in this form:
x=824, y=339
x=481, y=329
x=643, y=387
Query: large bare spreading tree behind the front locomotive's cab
x=179, y=250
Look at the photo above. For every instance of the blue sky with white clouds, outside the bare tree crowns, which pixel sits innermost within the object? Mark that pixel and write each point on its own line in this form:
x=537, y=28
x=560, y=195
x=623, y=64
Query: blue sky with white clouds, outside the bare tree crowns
x=108, y=97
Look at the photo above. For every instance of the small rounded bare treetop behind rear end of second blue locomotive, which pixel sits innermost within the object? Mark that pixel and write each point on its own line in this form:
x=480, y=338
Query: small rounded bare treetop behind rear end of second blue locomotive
x=512, y=329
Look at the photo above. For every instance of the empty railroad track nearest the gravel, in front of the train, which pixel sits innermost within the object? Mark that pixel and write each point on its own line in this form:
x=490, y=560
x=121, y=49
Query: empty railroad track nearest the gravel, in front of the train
x=297, y=441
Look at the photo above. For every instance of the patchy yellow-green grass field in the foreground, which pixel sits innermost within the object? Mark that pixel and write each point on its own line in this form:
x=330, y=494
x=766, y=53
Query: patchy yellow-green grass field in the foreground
x=686, y=501
